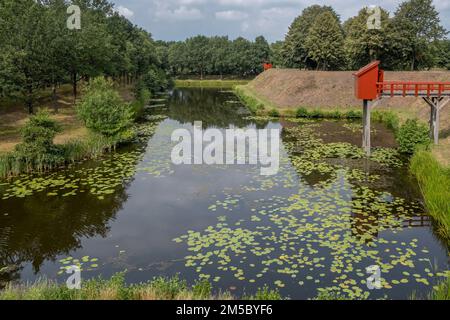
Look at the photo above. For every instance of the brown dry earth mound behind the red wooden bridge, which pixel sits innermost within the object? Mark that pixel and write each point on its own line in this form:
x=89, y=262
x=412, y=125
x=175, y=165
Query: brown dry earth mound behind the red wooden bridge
x=290, y=88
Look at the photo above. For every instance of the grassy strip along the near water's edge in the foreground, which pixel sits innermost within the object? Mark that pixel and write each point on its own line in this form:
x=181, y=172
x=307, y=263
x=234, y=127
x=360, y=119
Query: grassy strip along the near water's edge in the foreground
x=116, y=289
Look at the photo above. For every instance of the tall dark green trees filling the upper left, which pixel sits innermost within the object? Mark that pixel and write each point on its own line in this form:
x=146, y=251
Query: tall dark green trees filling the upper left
x=38, y=50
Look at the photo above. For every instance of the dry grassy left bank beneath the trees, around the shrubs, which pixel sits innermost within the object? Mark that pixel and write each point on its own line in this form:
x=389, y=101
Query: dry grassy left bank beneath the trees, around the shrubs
x=75, y=142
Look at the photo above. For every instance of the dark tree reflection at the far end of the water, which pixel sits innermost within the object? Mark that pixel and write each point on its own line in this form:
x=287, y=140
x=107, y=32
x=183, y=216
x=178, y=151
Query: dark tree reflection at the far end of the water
x=214, y=109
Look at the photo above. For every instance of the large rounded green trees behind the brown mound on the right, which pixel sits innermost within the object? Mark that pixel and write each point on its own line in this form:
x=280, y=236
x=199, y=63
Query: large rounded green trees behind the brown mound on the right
x=412, y=39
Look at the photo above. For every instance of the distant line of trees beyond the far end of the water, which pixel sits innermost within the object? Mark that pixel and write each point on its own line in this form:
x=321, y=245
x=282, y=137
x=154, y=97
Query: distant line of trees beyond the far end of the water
x=202, y=56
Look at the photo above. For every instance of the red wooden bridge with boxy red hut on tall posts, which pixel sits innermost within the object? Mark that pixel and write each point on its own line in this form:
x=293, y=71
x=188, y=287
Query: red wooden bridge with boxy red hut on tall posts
x=370, y=86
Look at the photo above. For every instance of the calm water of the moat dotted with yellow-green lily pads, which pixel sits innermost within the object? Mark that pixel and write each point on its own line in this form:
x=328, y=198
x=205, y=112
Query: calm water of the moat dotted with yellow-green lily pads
x=319, y=223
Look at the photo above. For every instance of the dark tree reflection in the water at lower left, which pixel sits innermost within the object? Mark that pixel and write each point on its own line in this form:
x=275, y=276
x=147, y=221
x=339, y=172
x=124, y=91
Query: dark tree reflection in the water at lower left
x=43, y=228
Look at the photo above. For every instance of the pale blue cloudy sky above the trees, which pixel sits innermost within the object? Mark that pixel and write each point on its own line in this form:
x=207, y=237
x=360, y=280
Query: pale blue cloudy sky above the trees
x=179, y=19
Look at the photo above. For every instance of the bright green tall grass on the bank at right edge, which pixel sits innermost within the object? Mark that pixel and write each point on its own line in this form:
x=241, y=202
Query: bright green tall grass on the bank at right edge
x=434, y=181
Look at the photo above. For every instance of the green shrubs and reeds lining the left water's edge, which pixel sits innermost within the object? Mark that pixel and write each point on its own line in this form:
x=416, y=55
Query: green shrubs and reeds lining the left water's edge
x=109, y=119
